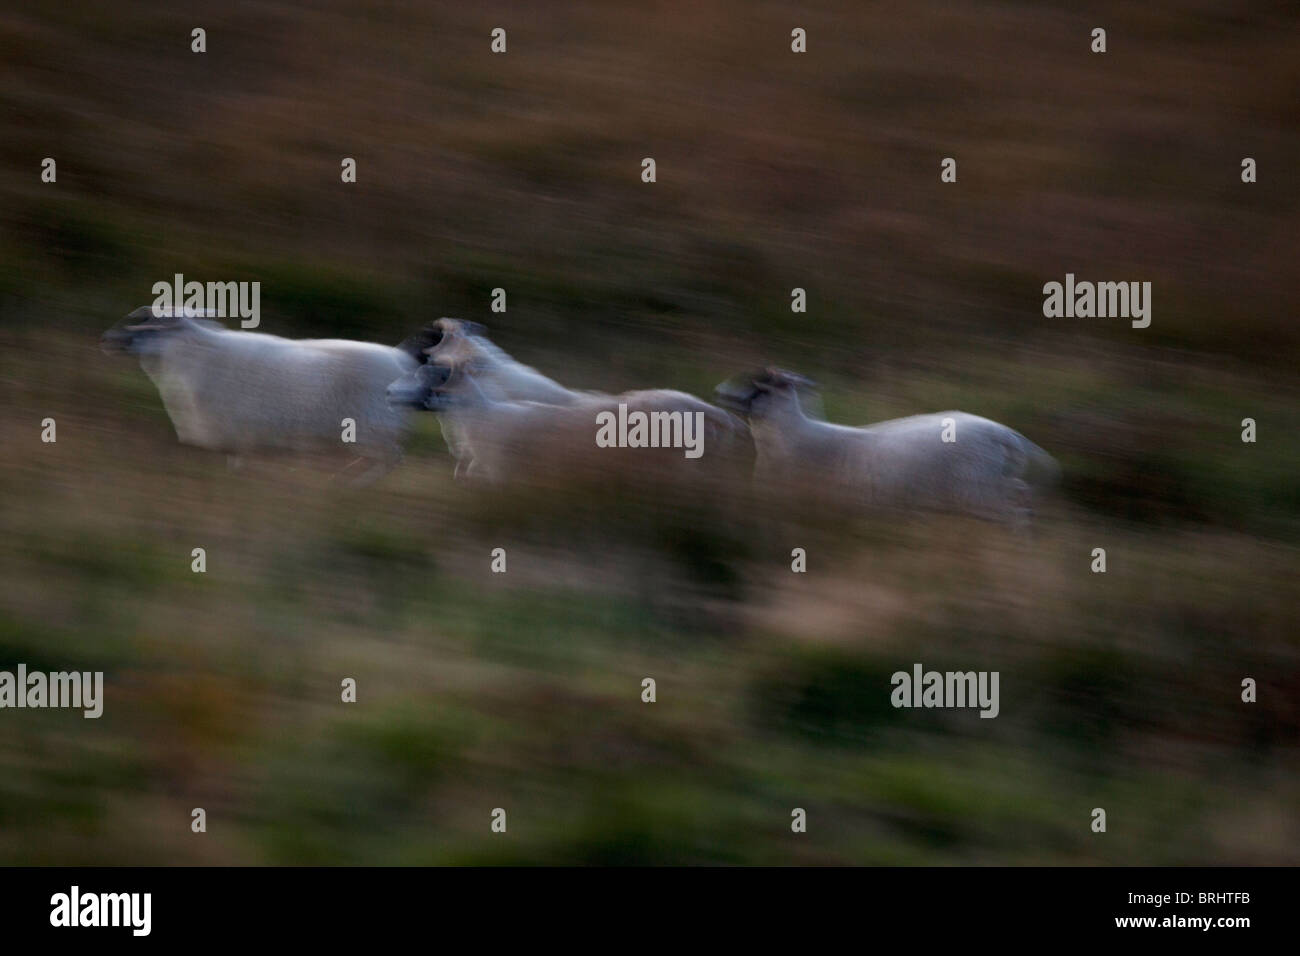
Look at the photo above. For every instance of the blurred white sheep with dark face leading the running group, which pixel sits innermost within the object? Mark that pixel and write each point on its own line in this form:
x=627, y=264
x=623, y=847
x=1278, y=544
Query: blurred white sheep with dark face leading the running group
x=248, y=392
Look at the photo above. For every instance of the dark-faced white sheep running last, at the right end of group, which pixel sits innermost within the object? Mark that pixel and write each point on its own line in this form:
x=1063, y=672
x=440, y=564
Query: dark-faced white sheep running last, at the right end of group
x=947, y=461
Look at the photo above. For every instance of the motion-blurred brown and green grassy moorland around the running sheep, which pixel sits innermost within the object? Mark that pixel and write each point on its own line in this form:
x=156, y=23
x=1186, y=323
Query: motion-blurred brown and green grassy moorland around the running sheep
x=775, y=171
